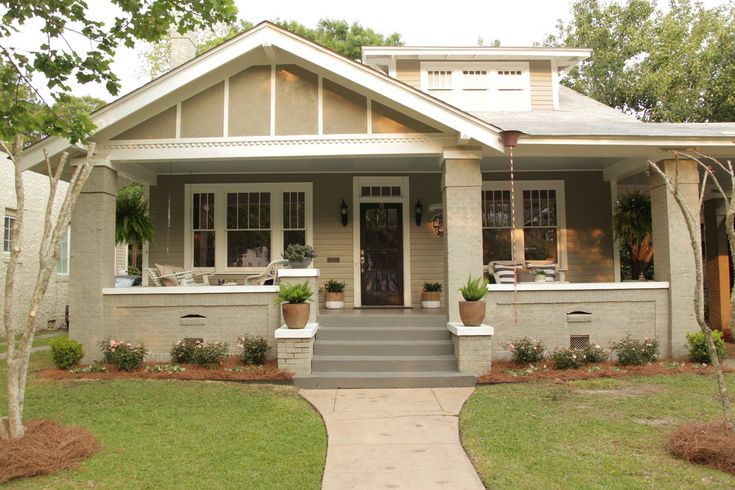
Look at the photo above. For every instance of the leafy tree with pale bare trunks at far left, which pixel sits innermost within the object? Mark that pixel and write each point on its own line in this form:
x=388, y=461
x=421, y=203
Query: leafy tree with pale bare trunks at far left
x=55, y=62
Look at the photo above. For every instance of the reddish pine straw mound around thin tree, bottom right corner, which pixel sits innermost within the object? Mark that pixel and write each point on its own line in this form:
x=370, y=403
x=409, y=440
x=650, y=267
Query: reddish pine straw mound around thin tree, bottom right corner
x=711, y=444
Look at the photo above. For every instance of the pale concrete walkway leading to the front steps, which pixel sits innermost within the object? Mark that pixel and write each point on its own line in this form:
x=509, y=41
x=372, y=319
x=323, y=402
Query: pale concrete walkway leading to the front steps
x=394, y=438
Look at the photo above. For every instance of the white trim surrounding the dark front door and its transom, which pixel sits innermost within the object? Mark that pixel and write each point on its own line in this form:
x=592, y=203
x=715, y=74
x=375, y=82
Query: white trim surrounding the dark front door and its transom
x=357, y=198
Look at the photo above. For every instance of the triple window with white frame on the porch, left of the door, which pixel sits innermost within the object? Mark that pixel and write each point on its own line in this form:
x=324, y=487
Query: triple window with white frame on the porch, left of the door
x=243, y=227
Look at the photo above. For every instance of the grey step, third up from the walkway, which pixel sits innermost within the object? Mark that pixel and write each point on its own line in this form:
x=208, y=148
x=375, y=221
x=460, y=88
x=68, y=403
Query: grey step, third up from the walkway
x=383, y=348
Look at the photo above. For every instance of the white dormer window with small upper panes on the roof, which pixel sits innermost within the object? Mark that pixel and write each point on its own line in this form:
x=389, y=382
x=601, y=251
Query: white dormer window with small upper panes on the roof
x=479, y=86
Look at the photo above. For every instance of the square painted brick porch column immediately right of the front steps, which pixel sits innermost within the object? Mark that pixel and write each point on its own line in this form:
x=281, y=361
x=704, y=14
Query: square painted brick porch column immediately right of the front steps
x=462, y=204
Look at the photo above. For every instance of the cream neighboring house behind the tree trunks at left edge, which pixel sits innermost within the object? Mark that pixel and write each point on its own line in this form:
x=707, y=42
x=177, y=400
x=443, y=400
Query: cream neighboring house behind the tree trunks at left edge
x=53, y=310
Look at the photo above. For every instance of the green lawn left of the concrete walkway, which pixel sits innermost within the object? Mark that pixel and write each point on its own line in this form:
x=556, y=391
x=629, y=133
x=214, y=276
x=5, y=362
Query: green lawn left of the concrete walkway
x=182, y=434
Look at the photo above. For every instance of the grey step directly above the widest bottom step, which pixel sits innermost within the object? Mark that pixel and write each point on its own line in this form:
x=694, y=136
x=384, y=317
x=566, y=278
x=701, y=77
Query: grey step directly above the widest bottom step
x=403, y=364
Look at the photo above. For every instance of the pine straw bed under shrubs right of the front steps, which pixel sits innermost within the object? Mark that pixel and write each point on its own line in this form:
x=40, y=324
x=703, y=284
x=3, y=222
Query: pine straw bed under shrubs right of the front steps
x=511, y=372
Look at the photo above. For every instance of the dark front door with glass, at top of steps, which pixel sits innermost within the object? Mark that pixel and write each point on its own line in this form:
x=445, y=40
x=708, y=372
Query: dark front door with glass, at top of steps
x=381, y=254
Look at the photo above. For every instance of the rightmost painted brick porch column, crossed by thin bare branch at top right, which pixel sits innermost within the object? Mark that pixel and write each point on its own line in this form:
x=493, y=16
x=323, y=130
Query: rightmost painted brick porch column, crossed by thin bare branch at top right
x=672, y=251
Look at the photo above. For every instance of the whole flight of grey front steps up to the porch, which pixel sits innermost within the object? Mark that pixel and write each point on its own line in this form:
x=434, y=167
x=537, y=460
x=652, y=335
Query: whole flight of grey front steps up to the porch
x=383, y=350
